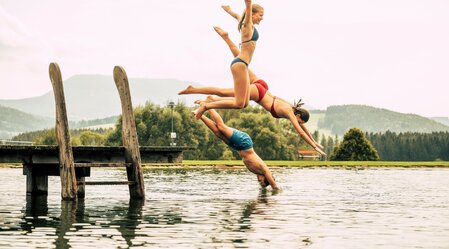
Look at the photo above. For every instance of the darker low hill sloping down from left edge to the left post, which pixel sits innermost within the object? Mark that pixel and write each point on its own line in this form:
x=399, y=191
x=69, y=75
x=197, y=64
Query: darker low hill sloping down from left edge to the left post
x=14, y=121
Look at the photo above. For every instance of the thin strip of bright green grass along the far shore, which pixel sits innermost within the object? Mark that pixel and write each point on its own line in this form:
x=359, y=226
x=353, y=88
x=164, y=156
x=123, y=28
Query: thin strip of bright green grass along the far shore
x=238, y=163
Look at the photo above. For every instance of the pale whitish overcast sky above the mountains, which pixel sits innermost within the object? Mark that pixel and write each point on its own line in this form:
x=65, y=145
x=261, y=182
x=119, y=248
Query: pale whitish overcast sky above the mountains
x=391, y=54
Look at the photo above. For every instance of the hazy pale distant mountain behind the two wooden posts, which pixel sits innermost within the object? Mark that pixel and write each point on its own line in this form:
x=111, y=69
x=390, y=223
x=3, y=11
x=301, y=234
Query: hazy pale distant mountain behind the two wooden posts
x=96, y=96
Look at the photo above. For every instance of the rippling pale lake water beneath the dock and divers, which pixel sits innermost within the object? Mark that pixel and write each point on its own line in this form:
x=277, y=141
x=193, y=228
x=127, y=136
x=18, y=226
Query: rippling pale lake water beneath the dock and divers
x=211, y=208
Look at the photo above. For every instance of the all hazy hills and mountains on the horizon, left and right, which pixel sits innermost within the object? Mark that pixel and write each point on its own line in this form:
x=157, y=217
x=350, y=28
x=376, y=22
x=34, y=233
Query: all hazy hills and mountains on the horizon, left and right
x=95, y=98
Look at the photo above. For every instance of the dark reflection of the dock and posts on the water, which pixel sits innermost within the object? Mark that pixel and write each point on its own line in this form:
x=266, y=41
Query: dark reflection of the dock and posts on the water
x=73, y=220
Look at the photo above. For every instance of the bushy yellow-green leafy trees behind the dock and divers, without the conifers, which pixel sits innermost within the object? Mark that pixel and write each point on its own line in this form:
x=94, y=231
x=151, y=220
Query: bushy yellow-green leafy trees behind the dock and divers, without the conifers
x=274, y=139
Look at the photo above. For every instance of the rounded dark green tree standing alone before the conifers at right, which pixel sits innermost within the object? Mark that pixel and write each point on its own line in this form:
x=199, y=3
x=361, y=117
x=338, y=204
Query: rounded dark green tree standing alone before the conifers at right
x=354, y=147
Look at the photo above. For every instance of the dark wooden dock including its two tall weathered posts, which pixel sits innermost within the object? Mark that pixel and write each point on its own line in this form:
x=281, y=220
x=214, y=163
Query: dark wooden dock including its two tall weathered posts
x=73, y=164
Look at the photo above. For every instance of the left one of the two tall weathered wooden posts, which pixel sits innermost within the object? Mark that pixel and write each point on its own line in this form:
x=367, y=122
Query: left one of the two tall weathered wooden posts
x=66, y=165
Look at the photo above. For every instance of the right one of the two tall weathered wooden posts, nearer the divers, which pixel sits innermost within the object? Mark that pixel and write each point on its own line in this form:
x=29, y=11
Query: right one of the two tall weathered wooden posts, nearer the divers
x=129, y=136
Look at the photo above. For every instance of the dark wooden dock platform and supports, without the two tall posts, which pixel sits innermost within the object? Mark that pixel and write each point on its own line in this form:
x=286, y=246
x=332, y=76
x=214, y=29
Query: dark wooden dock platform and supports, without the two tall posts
x=39, y=162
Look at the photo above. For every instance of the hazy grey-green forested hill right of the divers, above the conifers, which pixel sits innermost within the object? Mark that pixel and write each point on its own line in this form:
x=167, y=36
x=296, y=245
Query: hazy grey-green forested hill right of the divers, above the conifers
x=339, y=119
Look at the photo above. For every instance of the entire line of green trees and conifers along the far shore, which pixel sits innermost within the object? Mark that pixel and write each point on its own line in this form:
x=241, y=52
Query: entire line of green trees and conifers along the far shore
x=274, y=139
